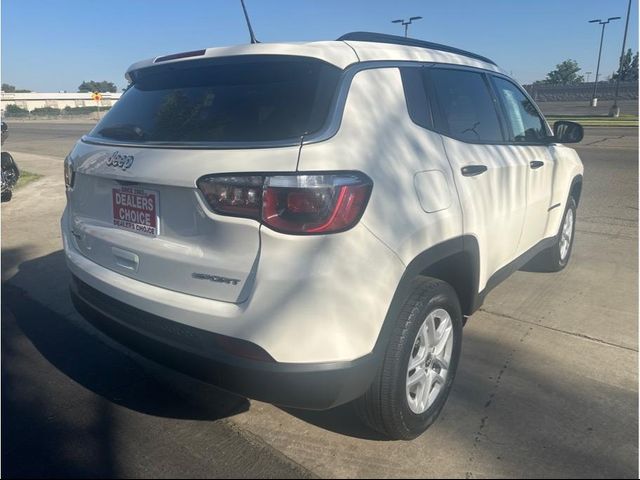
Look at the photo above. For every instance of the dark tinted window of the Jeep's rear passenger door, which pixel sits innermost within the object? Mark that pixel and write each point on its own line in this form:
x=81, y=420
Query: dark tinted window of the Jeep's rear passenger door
x=467, y=110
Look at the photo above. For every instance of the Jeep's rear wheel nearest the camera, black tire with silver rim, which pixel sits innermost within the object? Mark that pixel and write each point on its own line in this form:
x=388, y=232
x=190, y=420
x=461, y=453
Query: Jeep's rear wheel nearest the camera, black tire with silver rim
x=390, y=406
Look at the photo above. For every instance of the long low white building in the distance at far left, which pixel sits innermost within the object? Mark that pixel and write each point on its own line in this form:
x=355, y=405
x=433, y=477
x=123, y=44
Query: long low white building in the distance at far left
x=32, y=100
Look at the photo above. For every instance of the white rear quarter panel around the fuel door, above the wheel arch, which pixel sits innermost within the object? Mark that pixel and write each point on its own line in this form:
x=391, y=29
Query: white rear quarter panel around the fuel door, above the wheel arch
x=378, y=137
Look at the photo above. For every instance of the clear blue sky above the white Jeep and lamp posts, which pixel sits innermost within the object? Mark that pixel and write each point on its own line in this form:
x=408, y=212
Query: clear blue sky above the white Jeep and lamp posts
x=54, y=45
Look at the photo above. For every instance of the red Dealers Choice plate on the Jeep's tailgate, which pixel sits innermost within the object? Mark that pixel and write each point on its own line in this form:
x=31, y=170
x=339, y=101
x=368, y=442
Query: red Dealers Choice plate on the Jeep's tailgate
x=136, y=209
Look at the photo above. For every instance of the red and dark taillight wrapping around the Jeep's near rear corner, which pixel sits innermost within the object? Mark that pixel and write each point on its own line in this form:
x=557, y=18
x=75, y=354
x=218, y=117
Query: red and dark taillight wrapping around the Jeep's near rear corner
x=299, y=204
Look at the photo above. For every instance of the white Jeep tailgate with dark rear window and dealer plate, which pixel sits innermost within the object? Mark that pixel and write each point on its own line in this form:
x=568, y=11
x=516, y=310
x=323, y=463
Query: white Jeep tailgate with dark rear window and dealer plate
x=135, y=207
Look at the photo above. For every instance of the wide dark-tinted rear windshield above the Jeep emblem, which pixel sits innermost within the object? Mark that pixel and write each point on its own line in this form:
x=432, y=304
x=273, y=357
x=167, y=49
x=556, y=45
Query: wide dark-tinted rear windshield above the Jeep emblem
x=242, y=99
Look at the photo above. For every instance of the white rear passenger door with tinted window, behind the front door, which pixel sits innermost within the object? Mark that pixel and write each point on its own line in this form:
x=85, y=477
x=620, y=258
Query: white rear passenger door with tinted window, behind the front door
x=491, y=180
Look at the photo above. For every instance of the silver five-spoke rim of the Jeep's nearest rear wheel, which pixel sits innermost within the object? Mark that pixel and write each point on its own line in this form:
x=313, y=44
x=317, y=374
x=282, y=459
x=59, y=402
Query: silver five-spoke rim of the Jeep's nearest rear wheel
x=429, y=362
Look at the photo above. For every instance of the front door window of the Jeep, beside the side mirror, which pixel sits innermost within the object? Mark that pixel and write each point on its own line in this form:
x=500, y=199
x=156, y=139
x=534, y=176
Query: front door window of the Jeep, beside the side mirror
x=526, y=125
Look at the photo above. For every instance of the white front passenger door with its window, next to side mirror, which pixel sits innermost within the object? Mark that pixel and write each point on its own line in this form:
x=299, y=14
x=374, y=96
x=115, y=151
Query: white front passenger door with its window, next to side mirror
x=529, y=135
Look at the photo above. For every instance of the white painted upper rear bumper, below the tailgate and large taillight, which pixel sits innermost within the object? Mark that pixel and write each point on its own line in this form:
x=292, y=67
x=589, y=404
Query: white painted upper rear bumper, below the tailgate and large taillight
x=307, y=305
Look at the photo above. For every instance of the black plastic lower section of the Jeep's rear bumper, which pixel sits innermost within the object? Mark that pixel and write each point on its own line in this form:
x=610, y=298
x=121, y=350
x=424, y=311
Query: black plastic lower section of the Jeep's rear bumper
x=315, y=386
